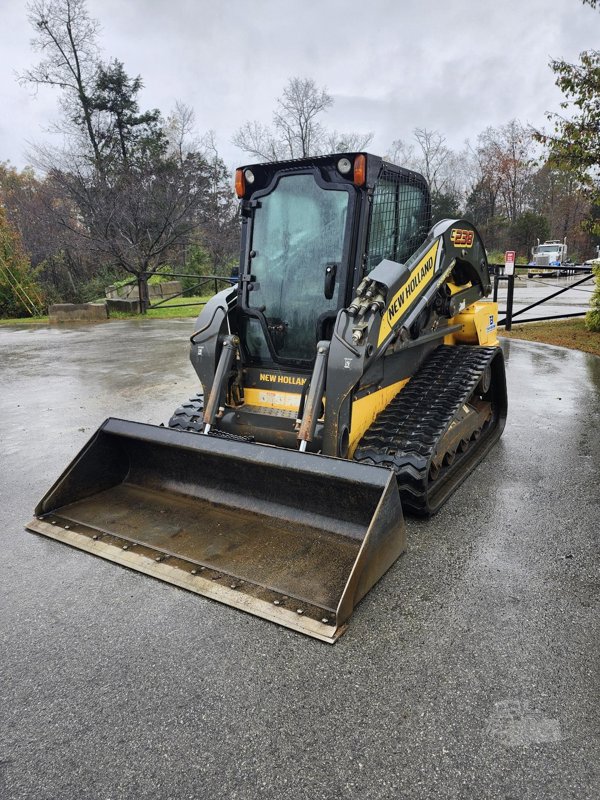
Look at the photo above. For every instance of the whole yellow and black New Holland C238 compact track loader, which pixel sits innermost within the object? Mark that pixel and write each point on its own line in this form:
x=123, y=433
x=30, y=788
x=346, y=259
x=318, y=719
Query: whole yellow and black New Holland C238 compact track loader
x=352, y=371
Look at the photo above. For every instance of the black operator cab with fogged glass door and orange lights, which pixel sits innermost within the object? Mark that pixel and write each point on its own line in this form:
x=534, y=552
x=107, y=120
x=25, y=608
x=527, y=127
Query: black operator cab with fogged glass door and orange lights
x=312, y=229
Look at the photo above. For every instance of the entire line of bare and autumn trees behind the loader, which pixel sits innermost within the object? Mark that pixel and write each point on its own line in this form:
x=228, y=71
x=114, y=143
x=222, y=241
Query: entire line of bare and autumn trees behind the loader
x=131, y=192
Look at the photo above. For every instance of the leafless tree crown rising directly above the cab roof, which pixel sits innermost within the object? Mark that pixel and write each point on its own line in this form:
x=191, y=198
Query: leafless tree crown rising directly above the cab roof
x=297, y=131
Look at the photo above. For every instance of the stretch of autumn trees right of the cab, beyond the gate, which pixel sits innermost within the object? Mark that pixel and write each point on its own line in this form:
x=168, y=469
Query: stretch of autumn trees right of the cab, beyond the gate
x=508, y=184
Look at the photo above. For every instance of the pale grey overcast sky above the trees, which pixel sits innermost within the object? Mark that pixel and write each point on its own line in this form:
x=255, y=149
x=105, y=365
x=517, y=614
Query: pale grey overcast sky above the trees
x=390, y=65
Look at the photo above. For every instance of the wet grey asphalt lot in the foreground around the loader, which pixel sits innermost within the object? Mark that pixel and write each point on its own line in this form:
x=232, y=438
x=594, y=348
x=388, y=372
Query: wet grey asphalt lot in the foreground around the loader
x=470, y=671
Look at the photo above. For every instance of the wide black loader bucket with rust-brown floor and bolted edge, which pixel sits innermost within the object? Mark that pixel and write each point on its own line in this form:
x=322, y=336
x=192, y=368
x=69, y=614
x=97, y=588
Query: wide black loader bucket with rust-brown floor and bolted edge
x=293, y=537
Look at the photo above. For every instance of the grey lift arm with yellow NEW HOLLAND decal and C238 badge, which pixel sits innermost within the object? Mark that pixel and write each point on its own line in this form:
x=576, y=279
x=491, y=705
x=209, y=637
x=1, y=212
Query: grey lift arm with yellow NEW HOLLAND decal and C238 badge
x=401, y=305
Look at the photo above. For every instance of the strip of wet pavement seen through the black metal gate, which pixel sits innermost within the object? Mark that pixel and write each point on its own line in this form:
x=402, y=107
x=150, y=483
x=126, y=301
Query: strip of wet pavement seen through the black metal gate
x=527, y=291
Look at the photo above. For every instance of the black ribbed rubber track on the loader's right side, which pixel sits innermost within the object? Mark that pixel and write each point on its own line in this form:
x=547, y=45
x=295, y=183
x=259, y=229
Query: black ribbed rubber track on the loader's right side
x=405, y=435
